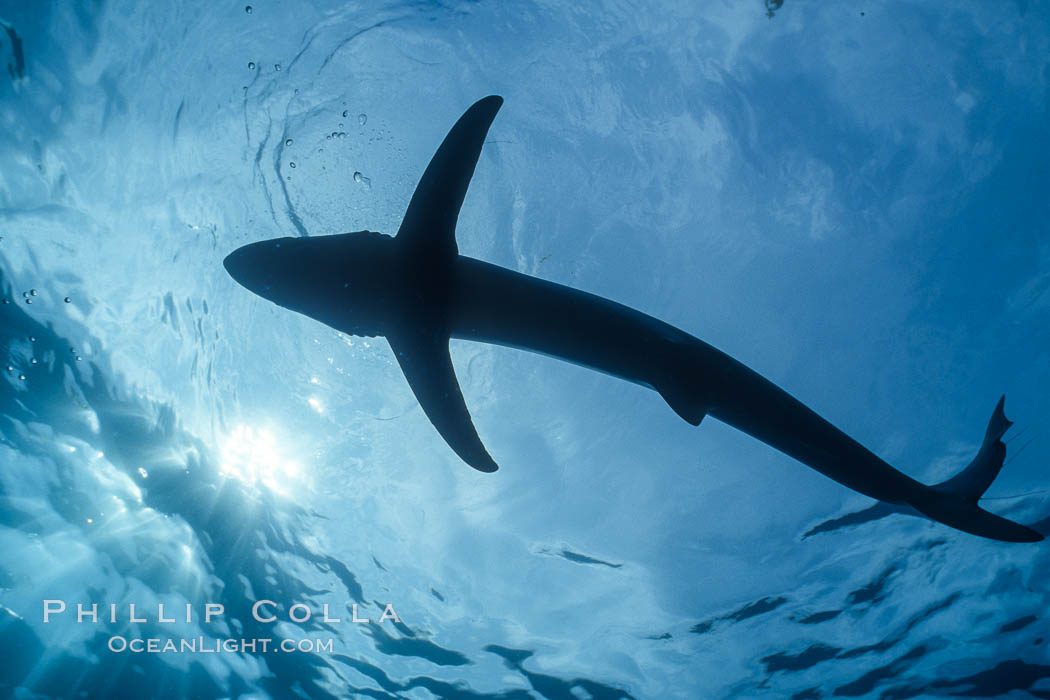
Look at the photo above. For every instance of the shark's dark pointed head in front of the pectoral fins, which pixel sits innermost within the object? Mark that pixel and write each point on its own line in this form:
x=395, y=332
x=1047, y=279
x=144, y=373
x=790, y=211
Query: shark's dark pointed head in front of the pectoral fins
x=342, y=281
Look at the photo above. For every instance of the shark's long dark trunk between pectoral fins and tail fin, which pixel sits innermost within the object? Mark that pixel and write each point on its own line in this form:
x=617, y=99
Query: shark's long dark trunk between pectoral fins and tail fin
x=498, y=306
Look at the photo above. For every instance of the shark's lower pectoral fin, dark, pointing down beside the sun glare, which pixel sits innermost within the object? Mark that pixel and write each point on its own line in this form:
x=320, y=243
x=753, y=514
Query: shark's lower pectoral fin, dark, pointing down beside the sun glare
x=425, y=360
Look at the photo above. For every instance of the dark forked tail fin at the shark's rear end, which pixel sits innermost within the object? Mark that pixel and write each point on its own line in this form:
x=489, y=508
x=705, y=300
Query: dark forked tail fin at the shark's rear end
x=955, y=502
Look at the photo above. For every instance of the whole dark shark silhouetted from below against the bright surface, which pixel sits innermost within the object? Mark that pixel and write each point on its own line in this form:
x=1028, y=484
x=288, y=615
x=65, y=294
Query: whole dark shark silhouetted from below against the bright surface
x=416, y=290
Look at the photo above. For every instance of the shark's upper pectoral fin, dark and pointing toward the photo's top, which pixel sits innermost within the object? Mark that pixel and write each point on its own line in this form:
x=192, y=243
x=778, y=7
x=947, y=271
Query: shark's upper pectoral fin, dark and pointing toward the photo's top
x=430, y=222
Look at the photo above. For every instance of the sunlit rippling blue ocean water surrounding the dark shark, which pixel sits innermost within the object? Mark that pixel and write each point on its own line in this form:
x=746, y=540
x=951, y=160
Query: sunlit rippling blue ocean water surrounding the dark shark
x=206, y=496
